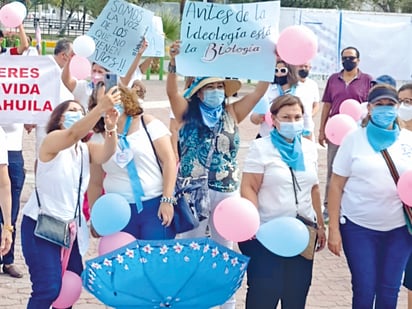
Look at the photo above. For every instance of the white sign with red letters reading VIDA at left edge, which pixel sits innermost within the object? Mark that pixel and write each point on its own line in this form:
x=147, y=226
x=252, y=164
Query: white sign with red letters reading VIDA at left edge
x=29, y=89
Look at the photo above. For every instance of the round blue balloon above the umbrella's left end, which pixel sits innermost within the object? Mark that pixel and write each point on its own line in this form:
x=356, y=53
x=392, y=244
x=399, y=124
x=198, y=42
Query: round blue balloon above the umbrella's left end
x=110, y=214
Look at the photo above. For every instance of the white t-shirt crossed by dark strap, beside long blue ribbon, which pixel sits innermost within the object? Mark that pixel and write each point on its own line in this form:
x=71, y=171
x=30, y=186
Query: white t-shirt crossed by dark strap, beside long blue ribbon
x=117, y=179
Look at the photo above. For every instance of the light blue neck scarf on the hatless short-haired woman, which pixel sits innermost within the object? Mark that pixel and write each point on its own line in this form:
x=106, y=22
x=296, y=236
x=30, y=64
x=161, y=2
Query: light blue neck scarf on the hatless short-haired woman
x=291, y=153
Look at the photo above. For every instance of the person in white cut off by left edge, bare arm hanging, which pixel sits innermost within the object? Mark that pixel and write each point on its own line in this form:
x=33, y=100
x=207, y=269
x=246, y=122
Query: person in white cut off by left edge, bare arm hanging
x=5, y=198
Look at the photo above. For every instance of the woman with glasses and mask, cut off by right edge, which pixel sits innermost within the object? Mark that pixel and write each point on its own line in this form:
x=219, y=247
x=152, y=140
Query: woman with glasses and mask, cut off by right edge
x=405, y=114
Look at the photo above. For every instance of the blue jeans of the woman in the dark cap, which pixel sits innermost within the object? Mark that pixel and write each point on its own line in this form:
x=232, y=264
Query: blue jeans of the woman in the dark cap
x=376, y=261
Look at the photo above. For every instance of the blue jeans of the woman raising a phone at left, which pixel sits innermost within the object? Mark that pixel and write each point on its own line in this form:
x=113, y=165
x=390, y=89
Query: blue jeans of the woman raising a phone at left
x=43, y=260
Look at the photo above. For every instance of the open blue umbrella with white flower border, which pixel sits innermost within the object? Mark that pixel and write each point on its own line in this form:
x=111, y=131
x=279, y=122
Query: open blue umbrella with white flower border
x=174, y=273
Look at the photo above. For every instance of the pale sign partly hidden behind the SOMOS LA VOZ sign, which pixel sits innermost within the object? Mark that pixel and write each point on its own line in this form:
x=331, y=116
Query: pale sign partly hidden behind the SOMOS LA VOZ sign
x=155, y=39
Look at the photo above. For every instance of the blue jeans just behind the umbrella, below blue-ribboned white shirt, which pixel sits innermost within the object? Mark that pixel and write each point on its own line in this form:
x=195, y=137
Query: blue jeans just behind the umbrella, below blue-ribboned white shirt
x=147, y=225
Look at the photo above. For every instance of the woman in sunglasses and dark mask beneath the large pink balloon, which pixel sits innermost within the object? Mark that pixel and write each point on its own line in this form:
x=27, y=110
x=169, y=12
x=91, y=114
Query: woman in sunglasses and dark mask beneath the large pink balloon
x=285, y=82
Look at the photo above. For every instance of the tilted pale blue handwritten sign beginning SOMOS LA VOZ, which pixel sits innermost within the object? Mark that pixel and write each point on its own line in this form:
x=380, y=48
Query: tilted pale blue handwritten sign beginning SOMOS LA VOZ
x=118, y=32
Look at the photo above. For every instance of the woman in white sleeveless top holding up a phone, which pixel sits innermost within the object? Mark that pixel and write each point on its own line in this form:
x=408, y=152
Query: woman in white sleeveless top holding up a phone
x=62, y=159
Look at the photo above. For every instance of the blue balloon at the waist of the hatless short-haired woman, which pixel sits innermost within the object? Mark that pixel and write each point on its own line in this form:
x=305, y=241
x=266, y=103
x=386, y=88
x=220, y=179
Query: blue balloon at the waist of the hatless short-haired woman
x=284, y=236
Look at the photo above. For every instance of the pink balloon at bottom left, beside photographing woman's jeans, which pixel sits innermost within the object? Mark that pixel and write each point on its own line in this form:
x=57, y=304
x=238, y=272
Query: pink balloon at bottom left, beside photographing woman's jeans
x=70, y=290
